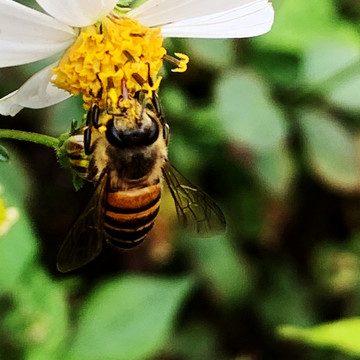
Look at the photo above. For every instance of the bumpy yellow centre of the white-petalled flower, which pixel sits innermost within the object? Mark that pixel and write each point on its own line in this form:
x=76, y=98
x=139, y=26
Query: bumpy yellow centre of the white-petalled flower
x=107, y=60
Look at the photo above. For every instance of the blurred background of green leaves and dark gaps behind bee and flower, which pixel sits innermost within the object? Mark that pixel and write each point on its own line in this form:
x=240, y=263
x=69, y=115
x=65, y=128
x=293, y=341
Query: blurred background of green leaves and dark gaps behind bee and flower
x=270, y=128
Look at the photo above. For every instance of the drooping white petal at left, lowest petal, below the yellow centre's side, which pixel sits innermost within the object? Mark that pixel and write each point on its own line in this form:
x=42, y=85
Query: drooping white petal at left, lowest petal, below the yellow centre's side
x=36, y=93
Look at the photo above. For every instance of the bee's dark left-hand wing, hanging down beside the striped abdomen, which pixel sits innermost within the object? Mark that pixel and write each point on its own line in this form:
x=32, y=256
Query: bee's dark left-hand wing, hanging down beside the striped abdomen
x=84, y=239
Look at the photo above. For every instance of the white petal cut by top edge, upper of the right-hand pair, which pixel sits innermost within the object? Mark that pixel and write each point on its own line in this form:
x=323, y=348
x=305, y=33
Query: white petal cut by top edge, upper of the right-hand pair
x=161, y=12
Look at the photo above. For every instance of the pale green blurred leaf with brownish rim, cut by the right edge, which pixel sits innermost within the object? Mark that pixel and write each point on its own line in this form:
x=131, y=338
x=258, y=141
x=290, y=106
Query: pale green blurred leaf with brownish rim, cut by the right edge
x=330, y=150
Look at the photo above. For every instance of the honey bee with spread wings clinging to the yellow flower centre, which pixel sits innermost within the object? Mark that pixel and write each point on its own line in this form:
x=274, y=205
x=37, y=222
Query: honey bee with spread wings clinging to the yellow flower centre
x=128, y=161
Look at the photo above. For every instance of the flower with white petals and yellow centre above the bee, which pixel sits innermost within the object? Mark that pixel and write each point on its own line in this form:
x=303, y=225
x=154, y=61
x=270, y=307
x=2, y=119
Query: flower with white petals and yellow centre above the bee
x=103, y=46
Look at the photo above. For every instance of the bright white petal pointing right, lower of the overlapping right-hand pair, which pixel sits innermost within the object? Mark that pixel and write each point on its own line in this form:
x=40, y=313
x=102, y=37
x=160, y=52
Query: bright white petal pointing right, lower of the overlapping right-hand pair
x=252, y=20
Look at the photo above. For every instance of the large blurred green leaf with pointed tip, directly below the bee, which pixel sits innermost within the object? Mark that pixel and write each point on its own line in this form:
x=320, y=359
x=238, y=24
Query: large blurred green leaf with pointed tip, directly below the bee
x=129, y=318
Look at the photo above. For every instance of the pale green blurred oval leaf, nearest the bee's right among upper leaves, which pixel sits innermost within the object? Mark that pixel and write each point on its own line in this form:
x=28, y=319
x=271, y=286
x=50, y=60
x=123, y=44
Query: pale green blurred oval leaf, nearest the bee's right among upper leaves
x=247, y=112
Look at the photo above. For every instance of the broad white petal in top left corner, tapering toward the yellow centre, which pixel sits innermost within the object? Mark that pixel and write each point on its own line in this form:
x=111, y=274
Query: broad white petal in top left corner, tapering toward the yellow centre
x=27, y=35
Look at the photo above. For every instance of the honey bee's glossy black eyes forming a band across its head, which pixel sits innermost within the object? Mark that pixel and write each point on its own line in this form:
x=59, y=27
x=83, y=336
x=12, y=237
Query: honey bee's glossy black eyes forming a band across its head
x=140, y=136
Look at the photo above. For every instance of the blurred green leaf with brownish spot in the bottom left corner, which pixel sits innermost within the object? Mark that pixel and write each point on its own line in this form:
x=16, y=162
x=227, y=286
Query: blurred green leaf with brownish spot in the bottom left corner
x=37, y=321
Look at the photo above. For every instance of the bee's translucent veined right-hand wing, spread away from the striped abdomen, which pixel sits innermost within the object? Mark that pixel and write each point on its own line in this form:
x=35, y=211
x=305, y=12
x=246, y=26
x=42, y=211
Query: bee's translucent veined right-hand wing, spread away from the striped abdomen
x=196, y=210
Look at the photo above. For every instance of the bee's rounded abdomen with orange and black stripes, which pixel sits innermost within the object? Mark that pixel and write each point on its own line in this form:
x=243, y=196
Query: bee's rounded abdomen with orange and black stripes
x=130, y=215
